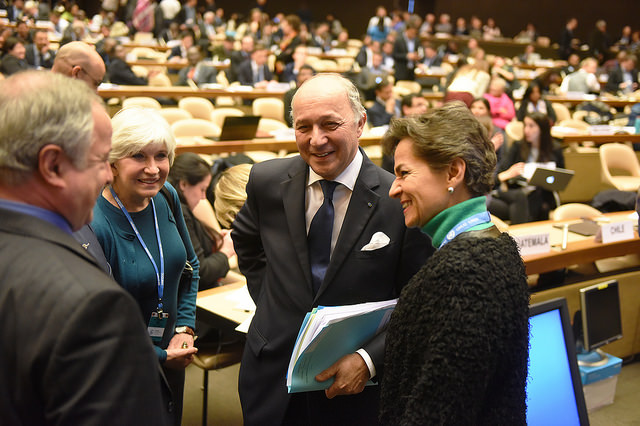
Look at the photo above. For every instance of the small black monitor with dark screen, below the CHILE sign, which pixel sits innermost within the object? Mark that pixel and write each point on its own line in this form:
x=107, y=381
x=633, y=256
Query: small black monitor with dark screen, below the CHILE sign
x=599, y=321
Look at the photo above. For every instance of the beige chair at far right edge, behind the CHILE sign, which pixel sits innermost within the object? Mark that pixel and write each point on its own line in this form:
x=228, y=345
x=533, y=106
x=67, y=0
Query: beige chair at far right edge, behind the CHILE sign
x=616, y=157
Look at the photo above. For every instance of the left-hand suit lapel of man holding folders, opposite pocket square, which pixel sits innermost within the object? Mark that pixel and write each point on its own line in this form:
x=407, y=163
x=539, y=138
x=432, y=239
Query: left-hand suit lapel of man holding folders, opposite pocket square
x=293, y=195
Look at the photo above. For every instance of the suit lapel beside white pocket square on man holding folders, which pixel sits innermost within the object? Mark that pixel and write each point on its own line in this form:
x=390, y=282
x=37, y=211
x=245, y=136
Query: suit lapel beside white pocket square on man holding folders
x=361, y=206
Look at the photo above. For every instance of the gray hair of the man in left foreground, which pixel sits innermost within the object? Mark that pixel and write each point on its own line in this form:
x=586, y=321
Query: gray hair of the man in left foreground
x=39, y=108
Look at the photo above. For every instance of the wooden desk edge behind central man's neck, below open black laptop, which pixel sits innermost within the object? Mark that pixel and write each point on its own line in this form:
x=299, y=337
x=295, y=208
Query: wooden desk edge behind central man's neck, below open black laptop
x=267, y=144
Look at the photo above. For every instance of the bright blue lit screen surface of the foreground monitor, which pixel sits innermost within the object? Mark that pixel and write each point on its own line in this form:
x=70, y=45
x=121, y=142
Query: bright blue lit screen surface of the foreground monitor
x=550, y=396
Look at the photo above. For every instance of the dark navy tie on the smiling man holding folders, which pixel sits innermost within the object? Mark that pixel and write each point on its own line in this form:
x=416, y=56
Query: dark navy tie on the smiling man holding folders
x=319, y=238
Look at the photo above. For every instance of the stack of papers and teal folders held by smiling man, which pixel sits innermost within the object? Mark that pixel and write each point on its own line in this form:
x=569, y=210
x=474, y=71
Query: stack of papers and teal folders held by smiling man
x=327, y=334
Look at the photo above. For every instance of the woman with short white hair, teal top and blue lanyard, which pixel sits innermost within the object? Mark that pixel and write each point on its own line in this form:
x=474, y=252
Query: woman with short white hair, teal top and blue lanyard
x=145, y=239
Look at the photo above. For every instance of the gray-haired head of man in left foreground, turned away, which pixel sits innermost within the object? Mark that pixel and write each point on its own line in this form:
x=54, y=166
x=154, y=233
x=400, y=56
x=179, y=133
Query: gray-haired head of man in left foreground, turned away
x=60, y=163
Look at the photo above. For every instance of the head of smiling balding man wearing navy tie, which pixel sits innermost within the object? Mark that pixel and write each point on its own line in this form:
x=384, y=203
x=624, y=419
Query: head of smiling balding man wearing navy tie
x=328, y=119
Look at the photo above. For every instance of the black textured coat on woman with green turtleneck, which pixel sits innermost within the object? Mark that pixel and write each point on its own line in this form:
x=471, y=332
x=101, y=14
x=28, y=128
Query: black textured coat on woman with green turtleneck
x=457, y=343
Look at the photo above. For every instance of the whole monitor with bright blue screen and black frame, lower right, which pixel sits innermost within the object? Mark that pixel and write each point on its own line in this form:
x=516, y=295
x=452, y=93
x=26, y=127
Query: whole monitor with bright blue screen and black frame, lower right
x=554, y=389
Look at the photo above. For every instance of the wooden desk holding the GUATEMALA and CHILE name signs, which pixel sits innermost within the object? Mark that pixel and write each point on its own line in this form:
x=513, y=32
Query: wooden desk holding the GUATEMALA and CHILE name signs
x=579, y=249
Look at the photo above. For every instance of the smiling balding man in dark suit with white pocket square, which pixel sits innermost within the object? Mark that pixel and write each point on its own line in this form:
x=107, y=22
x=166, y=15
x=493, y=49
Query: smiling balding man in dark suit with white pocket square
x=372, y=257
